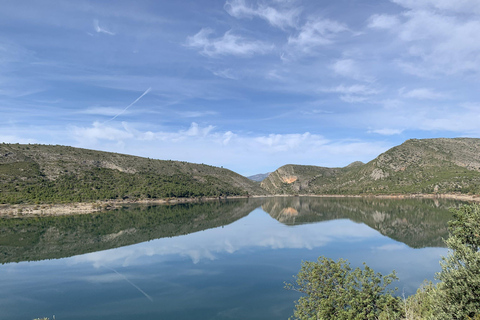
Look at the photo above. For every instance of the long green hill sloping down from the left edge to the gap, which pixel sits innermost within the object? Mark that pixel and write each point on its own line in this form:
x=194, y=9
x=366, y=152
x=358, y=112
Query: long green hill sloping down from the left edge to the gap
x=48, y=174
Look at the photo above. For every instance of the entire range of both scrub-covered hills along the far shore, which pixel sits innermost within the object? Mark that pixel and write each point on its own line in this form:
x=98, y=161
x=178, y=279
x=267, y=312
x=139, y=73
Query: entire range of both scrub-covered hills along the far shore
x=41, y=174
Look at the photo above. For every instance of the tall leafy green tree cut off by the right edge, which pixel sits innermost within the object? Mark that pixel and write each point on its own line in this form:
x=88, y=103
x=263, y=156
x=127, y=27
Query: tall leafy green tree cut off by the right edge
x=460, y=276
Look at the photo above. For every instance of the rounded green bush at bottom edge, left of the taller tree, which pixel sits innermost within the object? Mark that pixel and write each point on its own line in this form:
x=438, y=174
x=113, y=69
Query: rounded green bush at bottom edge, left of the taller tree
x=334, y=291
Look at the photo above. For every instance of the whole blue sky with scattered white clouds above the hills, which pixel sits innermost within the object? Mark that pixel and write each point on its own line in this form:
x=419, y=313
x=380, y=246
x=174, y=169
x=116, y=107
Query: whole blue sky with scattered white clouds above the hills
x=249, y=85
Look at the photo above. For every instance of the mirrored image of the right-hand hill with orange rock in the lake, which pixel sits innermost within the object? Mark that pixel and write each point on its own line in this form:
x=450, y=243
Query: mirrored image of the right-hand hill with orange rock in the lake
x=418, y=223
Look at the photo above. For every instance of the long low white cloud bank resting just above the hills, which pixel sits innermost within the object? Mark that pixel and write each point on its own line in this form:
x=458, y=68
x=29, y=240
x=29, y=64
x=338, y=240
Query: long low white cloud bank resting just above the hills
x=236, y=151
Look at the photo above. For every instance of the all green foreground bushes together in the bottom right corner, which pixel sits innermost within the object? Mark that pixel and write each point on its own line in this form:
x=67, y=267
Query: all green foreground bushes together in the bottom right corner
x=334, y=291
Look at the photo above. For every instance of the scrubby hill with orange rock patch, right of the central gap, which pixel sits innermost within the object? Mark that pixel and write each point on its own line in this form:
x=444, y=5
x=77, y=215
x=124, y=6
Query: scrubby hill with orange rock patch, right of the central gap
x=416, y=166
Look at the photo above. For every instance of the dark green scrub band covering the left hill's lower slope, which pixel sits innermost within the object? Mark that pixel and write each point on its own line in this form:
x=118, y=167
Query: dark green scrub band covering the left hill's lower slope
x=104, y=184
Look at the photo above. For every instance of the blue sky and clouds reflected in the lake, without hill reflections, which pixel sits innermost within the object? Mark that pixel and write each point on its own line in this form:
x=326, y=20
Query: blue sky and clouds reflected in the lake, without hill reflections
x=231, y=272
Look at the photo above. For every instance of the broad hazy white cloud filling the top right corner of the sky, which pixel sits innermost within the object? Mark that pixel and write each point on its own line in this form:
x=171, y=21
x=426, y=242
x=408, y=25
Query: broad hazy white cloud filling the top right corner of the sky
x=438, y=39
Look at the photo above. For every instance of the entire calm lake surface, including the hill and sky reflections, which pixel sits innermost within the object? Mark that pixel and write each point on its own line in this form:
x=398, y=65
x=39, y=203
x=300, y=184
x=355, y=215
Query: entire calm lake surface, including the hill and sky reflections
x=217, y=260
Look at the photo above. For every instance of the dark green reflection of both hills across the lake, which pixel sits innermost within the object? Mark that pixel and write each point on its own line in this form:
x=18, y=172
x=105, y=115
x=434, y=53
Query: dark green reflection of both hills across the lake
x=417, y=223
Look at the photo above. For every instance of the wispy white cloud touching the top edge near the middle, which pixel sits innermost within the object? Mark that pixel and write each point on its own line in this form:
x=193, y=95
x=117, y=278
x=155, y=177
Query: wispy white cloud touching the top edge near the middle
x=280, y=18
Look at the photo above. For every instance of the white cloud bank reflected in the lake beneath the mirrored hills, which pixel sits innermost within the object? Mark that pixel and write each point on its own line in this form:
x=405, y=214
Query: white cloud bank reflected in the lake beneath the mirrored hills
x=256, y=231
